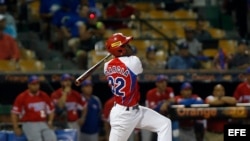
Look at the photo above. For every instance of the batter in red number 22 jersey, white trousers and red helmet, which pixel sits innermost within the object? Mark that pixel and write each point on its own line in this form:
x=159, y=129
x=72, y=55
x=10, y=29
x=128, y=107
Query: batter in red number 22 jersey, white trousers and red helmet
x=126, y=114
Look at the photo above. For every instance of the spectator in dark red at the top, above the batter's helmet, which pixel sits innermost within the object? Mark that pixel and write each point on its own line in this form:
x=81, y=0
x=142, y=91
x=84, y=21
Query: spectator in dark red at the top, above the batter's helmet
x=119, y=10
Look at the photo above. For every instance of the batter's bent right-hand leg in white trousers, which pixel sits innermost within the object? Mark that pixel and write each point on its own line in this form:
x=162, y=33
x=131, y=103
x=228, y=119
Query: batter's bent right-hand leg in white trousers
x=155, y=122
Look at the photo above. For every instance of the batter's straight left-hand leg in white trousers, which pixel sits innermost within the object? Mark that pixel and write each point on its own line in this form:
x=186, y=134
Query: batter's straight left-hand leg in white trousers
x=122, y=123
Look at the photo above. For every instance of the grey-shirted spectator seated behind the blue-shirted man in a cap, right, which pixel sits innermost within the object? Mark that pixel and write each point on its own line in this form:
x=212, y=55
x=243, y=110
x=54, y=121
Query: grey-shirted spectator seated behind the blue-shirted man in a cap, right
x=195, y=47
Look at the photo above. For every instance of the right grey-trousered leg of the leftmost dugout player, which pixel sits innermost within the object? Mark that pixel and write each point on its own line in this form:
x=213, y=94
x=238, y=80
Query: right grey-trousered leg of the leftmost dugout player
x=47, y=133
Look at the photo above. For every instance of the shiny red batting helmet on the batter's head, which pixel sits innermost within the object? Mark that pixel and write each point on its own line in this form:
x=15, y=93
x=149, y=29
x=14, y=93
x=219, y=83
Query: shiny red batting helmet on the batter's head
x=115, y=42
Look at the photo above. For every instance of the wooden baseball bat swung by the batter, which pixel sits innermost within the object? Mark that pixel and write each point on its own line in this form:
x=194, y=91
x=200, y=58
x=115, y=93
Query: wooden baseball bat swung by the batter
x=87, y=73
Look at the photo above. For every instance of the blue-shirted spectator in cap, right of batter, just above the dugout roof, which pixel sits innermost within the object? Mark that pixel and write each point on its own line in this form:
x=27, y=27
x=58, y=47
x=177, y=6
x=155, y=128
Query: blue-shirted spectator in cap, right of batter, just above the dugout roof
x=183, y=60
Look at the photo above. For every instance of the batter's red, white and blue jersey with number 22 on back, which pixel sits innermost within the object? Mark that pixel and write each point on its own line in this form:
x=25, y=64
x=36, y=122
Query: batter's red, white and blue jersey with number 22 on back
x=122, y=74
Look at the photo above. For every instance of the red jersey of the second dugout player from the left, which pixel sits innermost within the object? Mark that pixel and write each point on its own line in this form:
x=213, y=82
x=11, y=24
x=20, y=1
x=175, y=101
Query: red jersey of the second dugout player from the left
x=74, y=101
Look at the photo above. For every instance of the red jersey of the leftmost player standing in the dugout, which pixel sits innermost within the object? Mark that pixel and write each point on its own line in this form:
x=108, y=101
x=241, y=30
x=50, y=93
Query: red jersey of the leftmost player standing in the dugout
x=33, y=107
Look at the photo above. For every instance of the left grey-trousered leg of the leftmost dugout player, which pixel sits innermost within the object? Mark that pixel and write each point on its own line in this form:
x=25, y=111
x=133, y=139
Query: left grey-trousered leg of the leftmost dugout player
x=32, y=131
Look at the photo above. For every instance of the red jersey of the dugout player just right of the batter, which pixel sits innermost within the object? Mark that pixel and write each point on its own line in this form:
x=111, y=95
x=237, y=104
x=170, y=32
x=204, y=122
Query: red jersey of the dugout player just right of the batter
x=153, y=97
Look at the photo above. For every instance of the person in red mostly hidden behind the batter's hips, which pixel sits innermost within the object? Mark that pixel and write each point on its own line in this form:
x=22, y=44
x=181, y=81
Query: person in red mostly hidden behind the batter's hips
x=105, y=116
